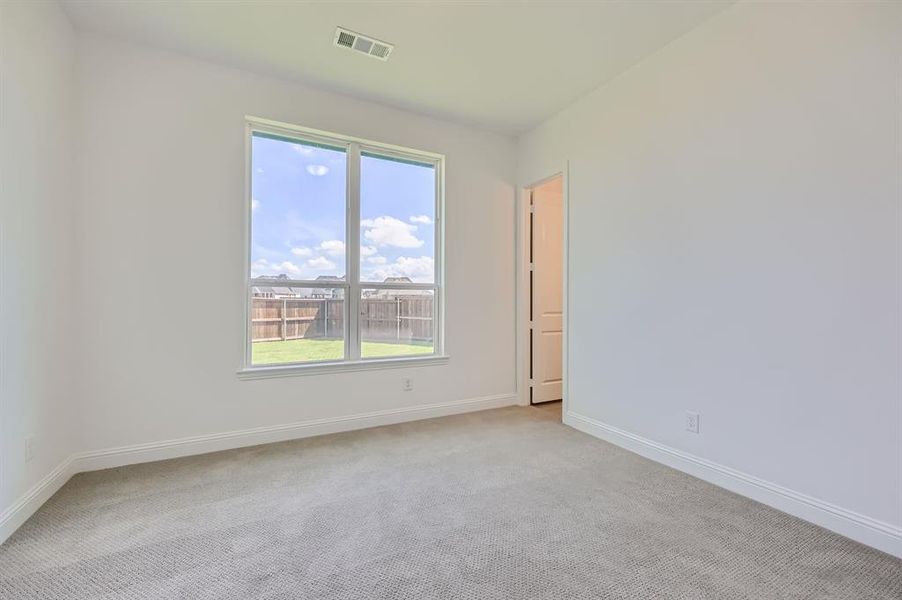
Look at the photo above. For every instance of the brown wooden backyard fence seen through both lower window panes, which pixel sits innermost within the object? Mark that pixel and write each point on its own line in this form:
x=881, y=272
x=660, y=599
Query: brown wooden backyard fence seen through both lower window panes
x=383, y=319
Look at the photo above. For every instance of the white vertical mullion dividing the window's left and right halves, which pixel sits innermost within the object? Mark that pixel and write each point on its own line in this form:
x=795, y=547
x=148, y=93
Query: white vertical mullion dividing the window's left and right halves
x=352, y=256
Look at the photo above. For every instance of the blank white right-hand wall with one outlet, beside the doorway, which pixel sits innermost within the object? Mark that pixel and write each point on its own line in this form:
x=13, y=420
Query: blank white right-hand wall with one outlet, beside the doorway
x=735, y=249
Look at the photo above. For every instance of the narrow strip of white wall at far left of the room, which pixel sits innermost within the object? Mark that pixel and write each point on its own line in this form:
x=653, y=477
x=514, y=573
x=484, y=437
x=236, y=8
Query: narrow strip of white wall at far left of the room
x=37, y=195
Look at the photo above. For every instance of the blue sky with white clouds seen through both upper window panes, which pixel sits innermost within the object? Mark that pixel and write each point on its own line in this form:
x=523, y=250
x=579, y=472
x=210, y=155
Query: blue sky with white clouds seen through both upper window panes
x=298, y=214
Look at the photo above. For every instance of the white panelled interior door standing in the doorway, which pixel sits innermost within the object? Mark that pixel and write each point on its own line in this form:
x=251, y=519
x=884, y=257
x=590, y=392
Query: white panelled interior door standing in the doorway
x=546, y=317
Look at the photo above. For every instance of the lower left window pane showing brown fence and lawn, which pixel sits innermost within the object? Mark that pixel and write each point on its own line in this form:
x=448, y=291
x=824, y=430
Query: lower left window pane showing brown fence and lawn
x=291, y=324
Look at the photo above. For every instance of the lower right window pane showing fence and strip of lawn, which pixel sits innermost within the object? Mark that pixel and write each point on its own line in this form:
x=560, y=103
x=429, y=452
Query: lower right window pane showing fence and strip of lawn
x=396, y=322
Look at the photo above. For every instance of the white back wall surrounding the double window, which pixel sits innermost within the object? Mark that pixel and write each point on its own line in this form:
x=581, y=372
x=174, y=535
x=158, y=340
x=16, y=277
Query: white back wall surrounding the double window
x=161, y=217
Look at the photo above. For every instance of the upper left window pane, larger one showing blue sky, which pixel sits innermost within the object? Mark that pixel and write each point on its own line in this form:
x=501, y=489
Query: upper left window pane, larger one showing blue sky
x=297, y=208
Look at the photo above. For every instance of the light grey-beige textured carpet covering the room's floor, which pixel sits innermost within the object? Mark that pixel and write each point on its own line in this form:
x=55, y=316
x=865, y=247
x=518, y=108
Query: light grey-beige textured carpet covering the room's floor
x=497, y=505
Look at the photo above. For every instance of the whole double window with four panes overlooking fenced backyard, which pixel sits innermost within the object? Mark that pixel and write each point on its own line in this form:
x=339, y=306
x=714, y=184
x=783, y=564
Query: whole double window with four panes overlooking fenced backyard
x=344, y=250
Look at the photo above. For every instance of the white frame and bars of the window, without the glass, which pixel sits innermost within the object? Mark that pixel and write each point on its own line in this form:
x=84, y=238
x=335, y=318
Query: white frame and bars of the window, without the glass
x=351, y=286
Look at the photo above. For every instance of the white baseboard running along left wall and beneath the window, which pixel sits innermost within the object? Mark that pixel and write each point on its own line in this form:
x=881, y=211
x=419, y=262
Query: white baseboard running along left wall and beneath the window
x=13, y=517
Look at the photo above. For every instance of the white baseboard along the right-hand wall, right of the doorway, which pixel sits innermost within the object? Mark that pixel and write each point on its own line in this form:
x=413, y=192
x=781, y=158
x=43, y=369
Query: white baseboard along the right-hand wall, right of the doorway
x=868, y=531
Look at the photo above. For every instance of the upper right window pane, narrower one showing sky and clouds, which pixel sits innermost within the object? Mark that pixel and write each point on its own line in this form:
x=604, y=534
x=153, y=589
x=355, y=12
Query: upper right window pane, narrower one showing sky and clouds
x=397, y=227
